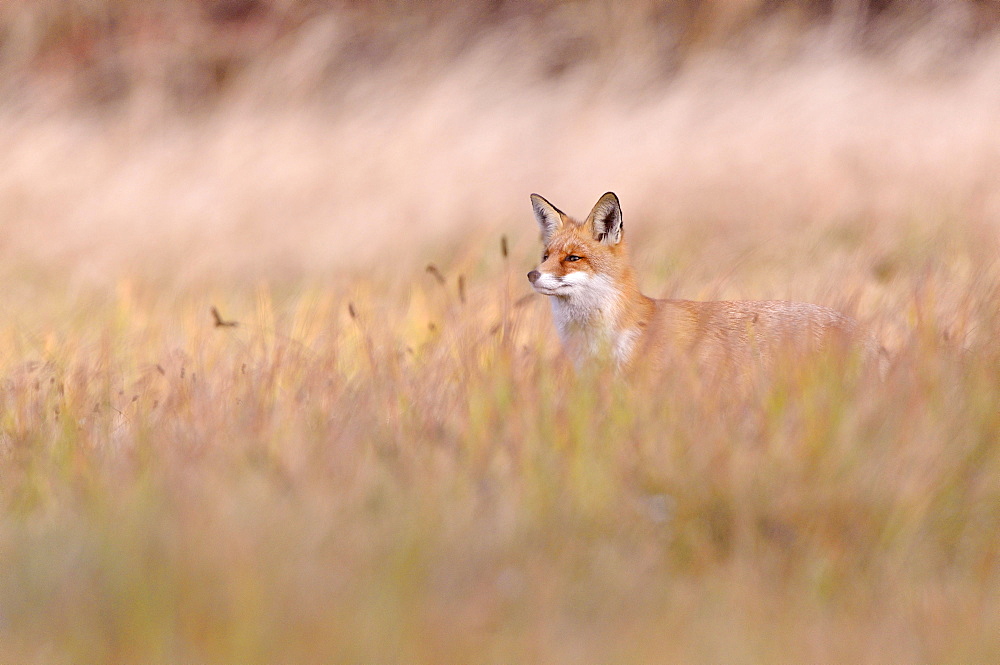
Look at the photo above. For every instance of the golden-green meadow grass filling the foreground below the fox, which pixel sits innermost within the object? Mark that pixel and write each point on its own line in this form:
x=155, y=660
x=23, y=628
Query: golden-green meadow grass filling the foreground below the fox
x=371, y=472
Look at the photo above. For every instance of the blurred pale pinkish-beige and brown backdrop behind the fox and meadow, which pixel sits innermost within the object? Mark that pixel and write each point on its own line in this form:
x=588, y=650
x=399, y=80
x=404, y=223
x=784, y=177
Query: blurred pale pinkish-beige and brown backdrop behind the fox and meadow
x=193, y=140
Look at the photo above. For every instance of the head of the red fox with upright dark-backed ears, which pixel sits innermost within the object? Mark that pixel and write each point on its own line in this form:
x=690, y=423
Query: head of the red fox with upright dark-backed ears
x=580, y=258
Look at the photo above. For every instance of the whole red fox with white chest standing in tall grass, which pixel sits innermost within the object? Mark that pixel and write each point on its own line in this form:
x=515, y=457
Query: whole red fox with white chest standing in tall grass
x=600, y=313
